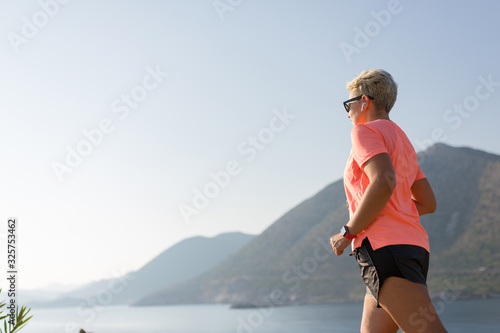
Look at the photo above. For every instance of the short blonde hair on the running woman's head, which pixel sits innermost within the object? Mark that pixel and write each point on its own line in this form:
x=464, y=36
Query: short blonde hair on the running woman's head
x=378, y=84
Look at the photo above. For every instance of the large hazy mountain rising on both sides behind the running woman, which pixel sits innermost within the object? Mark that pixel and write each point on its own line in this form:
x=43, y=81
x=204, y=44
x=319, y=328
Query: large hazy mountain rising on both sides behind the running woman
x=291, y=262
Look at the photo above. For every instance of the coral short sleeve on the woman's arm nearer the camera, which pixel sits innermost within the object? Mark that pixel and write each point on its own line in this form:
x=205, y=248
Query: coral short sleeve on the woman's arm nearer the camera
x=366, y=143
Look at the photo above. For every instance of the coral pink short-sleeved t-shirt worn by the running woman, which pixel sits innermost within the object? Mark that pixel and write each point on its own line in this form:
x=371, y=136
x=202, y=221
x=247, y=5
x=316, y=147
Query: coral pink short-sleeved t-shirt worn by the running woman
x=399, y=222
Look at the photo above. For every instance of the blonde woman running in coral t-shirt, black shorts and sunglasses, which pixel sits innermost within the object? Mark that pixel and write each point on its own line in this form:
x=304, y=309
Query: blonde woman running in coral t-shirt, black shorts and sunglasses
x=386, y=192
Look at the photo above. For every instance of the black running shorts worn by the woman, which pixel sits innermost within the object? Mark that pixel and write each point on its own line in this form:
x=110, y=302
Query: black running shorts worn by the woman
x=405, y=261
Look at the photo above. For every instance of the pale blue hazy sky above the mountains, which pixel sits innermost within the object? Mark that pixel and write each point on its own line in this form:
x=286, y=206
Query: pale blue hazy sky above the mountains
x=128, y=126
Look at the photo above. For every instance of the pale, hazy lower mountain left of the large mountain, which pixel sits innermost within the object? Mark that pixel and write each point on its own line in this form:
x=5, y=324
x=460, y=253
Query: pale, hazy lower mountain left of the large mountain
x=181, y=262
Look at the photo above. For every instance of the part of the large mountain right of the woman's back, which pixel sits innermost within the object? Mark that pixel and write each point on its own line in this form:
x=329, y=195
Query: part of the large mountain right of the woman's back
x=464, y=232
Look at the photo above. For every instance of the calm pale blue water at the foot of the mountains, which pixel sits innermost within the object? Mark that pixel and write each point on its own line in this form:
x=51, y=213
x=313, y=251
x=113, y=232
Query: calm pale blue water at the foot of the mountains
x=459, y=316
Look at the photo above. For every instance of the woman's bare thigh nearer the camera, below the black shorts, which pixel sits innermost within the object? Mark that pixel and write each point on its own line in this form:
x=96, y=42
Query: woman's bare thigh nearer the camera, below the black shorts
x=409, y=304
